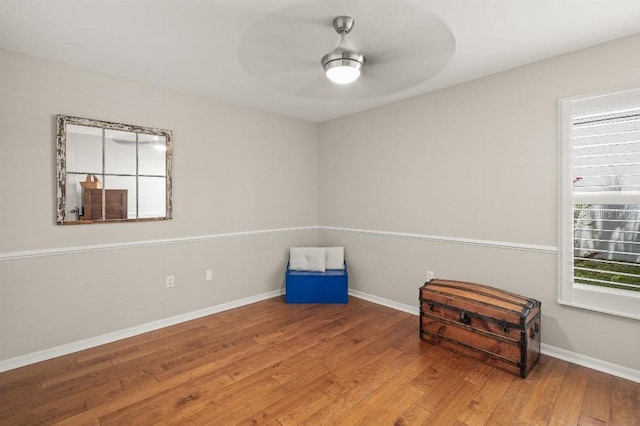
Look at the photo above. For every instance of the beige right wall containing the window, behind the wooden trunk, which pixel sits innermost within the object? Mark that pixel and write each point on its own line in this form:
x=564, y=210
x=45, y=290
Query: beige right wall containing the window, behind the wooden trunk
x=476, y=161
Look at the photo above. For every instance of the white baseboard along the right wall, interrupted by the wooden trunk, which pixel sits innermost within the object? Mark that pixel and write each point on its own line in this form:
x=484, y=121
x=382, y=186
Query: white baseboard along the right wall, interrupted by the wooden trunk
x=552, y=351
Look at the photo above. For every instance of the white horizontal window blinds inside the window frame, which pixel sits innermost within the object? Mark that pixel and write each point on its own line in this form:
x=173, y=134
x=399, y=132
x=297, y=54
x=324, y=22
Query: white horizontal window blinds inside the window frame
x=606, y=198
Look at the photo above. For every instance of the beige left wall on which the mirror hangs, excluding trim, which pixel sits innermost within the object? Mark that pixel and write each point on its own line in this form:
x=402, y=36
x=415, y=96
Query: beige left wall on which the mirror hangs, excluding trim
x=235, y=170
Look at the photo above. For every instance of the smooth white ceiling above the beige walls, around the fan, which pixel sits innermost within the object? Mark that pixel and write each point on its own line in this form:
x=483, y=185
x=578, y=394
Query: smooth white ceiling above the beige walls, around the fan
x=266, y=54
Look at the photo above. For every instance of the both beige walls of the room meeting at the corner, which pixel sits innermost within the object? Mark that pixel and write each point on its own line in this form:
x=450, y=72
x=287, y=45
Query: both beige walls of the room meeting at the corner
x=477, y=161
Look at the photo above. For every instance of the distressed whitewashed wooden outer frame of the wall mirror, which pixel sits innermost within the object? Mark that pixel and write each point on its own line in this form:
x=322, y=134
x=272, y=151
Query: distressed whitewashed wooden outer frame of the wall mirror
x=61, y=160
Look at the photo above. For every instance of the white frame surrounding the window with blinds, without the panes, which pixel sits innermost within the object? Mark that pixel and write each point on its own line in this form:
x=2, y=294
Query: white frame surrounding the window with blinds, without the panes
x=613, y=301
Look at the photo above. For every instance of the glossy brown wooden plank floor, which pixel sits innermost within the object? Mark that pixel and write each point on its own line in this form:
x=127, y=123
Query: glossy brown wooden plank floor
x=276, y=364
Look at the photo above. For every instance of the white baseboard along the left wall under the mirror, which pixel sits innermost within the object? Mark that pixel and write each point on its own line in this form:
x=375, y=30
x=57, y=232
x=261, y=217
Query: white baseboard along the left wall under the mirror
x=22, y=360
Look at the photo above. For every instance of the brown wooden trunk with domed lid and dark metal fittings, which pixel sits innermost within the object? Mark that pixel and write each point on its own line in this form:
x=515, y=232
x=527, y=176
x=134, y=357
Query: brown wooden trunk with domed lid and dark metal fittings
x=481, y=322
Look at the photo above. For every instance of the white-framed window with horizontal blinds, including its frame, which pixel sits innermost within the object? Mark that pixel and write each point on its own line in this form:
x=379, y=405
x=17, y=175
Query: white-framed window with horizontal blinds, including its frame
x=599, y=267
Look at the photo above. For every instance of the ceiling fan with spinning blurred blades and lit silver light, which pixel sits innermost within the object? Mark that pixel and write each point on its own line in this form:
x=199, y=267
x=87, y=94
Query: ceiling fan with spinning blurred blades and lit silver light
x=397, y=45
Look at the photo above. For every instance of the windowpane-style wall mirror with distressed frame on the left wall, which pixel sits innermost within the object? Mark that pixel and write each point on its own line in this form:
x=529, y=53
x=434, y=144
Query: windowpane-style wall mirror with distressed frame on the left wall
x=111, y=172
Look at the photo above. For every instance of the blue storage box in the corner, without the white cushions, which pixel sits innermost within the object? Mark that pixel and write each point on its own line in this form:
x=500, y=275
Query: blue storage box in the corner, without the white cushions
x=331, y=286
